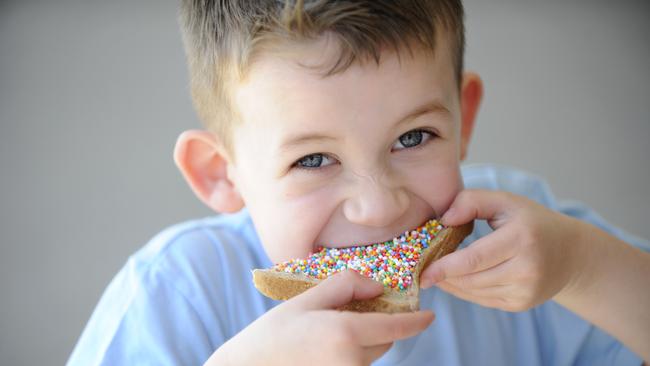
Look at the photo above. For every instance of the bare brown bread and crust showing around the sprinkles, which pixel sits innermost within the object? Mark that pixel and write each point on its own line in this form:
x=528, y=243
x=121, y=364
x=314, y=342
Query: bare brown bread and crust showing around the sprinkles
x=280, y=285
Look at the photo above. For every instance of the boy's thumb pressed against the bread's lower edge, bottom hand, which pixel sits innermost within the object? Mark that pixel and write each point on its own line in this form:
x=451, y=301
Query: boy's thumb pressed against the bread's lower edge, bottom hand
x=339, y=290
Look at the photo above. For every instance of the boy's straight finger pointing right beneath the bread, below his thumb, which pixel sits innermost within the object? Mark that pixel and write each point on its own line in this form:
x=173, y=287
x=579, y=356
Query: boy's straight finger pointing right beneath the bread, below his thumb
x=371, y=329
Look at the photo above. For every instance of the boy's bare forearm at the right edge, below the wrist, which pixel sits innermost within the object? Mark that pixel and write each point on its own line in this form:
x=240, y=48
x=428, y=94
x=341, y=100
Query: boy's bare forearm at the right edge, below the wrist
x=610, y=288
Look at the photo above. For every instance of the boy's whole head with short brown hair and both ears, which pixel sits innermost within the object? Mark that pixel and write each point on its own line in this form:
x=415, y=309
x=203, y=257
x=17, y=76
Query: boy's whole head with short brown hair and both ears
x=334, y=122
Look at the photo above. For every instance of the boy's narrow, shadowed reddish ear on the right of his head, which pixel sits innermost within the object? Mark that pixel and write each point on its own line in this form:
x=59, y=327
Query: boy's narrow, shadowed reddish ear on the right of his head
x=471, y=94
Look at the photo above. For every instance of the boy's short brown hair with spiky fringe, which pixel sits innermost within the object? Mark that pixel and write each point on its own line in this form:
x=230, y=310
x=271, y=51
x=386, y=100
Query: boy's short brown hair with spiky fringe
x=222, y=36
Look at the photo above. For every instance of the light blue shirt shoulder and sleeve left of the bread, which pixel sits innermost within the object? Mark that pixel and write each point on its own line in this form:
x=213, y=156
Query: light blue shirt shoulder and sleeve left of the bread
x=191, y=281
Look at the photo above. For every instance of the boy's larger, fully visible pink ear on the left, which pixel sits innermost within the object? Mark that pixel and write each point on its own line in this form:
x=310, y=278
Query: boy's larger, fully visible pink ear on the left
x=204, y=165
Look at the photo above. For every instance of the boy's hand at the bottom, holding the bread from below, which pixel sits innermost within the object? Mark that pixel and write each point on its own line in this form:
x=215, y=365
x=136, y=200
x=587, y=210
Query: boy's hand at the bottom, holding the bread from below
x=308, y=330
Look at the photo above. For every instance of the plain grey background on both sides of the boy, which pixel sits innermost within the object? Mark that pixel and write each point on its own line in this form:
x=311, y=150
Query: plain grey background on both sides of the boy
x=93, y=94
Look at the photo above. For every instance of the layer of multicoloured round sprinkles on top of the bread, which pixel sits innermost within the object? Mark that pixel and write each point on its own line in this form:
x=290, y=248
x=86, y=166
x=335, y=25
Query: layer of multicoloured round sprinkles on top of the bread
x=391, y=263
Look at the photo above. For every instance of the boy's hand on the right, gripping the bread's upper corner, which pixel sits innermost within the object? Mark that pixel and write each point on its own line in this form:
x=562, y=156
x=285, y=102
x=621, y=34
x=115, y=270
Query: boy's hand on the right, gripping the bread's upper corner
x=530, y=257
